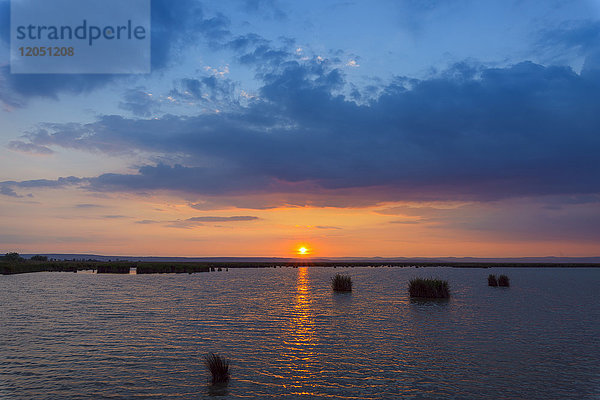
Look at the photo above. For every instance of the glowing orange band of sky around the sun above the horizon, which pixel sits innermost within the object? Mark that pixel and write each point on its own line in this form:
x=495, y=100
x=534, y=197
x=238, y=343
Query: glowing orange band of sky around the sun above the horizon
x=74, y=221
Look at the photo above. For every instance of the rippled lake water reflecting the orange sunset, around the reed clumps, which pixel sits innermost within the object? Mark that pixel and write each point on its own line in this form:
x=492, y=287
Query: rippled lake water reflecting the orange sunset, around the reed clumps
x=84, y=336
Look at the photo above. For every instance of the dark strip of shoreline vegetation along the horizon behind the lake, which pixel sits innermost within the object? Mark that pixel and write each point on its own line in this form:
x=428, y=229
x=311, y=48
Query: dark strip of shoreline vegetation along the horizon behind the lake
x=12, y=263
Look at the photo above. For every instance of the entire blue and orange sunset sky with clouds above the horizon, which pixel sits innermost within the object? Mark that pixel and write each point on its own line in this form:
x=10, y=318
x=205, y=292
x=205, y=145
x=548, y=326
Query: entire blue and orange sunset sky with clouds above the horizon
x=351, y=128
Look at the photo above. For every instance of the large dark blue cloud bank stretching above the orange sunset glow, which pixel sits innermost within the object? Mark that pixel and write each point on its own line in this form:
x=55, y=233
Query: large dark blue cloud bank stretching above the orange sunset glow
x=470, y=133
